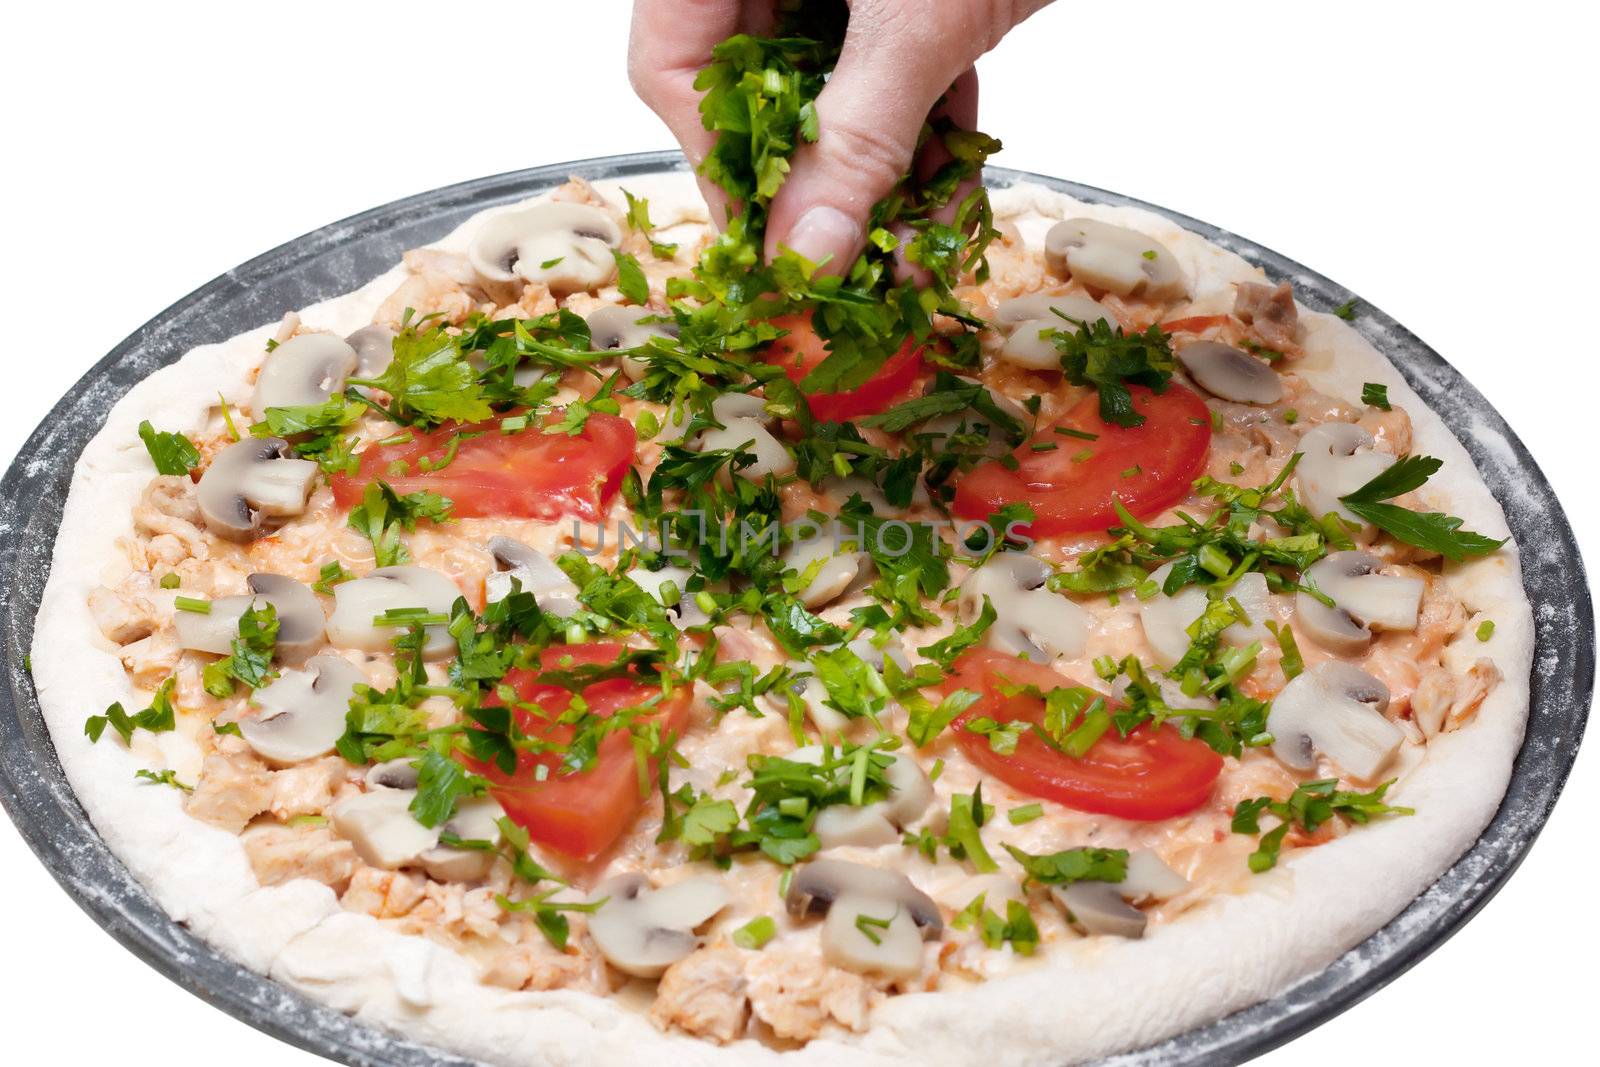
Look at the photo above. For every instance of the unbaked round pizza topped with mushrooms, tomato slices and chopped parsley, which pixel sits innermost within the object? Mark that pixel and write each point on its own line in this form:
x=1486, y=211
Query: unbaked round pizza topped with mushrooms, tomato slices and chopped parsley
x=591, y=641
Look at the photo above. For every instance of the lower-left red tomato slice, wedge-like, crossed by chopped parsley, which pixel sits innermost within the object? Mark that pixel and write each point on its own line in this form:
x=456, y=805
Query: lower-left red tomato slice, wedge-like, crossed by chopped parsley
x=580, y=813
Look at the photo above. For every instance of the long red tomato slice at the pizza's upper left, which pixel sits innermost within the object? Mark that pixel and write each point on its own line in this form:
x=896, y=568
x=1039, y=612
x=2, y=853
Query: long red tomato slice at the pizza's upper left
x=526, y=476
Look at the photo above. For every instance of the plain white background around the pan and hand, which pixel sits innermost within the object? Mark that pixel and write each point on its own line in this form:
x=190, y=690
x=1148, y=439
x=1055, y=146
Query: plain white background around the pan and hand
x=1436, y=159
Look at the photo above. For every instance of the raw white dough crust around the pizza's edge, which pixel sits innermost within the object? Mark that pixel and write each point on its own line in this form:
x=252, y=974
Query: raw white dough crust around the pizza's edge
x=1089, y=999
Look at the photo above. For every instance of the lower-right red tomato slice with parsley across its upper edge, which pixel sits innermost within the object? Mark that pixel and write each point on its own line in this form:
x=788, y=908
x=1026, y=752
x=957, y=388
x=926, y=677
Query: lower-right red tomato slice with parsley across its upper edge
x=1148, y=775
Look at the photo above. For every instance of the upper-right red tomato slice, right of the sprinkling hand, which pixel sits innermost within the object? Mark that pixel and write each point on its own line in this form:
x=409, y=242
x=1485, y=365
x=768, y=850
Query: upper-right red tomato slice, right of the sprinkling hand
x=1150, y=468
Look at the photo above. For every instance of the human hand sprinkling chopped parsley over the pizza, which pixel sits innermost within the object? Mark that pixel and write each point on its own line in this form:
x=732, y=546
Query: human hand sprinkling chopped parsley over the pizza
x=900, y=58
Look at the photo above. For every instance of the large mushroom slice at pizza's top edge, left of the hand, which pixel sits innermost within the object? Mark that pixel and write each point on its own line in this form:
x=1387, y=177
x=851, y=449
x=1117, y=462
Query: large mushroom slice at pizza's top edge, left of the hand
x=566, y=247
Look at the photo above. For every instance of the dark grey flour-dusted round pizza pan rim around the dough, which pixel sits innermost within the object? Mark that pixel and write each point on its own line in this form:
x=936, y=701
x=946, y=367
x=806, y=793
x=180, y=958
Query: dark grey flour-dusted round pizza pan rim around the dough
x=343, y=257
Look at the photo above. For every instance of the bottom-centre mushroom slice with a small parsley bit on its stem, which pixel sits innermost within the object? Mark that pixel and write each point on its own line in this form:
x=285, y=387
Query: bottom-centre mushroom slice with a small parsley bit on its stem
x=876, y=919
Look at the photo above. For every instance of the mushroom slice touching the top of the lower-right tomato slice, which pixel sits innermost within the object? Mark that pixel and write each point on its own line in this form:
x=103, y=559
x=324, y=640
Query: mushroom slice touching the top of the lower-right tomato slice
x=1030, y=620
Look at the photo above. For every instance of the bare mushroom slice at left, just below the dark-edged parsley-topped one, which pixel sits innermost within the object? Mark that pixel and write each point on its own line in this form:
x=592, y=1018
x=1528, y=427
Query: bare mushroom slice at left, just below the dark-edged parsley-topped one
x=302, y=711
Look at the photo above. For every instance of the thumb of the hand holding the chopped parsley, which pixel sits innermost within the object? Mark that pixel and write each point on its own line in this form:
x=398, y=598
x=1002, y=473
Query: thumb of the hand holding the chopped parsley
x=870, y=118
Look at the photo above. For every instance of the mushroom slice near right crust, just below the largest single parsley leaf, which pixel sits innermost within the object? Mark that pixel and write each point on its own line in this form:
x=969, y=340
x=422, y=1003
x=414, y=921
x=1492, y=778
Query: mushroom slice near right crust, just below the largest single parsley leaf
x=1362, y=601
